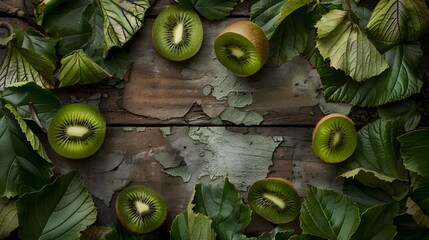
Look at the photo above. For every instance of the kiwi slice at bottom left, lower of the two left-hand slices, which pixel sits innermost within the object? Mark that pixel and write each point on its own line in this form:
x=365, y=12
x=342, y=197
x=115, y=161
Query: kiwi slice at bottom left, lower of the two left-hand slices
x=140, y=209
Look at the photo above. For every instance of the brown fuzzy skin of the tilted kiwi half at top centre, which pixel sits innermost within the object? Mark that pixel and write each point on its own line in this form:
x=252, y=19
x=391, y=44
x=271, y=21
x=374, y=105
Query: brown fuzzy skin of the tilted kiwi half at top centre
x=253, y=33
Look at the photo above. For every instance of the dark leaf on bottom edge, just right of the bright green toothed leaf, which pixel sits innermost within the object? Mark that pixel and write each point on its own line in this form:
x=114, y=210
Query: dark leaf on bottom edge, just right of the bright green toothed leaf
x=377, y=222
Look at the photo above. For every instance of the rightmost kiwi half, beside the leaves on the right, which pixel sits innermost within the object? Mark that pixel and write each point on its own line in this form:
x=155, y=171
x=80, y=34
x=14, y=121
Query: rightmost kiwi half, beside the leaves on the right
x=334, y=138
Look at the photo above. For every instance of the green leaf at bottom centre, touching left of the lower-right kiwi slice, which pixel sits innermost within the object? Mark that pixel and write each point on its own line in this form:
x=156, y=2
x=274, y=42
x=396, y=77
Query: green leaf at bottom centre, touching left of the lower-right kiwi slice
x=224, y=205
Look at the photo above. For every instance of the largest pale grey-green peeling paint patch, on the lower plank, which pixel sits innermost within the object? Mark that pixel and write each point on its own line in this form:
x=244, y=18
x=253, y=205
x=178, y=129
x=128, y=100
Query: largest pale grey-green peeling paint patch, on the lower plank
x=210, y=153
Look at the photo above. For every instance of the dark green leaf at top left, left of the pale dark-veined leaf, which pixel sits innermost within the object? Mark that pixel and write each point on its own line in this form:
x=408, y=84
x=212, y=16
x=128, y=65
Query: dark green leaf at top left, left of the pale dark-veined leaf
x=68, y=22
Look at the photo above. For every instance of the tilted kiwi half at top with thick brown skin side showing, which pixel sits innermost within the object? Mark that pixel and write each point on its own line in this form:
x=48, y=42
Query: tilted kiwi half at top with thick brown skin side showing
x=242, y=48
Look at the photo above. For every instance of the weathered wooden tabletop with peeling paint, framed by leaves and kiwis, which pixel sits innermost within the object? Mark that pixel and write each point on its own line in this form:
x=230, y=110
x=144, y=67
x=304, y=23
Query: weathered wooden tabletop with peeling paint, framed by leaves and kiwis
x=196, y=113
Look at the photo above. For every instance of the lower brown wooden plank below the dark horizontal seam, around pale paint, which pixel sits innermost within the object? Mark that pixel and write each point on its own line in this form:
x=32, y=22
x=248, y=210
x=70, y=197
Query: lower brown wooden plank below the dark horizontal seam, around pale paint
x=129, y=155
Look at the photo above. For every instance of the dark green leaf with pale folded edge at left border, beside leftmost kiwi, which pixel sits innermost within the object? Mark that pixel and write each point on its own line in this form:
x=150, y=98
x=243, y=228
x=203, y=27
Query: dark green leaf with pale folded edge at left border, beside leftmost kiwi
x=22, y=169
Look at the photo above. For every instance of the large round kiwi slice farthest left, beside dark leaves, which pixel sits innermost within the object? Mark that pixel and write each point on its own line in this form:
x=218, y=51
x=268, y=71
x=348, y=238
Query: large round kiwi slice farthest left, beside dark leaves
x=77, y=130
